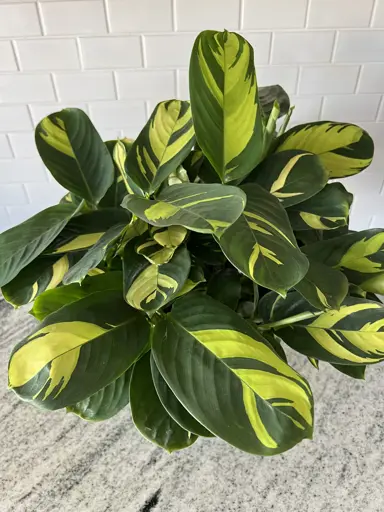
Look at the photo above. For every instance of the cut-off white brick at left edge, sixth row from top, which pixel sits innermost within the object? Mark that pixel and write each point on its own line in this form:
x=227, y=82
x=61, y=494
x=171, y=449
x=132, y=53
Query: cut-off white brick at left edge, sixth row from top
x=22, y=171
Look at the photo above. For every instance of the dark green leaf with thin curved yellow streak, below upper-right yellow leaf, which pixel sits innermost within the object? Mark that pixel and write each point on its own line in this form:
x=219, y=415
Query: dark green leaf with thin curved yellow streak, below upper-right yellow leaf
x=292, y=176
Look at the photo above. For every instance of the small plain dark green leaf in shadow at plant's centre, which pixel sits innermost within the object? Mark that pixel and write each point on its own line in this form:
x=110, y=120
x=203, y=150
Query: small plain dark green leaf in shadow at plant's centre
x=225, y=286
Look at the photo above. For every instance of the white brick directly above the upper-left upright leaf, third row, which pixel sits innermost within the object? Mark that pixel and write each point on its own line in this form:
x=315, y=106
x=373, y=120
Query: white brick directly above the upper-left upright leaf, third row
x=87, y=86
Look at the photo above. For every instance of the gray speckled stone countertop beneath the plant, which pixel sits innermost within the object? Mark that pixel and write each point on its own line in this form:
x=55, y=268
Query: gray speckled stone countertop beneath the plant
x=56, y=462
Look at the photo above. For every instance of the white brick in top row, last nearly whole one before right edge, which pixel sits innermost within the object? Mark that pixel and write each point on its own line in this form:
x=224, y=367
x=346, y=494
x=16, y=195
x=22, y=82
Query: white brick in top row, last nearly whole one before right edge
x=340, y=13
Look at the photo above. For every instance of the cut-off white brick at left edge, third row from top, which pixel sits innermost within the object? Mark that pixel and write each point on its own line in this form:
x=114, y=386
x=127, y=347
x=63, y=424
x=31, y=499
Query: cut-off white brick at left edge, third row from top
x=26, y=88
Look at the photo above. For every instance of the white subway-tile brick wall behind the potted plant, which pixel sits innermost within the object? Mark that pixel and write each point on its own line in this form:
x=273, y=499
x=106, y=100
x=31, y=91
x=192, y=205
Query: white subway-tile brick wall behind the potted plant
x=117, y=58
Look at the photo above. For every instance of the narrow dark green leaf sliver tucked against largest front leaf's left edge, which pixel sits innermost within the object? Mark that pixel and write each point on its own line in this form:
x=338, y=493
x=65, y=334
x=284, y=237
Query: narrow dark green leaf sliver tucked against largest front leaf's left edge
x=174, y=407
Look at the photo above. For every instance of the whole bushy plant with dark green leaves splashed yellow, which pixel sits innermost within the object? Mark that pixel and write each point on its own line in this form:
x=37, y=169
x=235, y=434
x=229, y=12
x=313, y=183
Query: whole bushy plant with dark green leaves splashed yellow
x=179, y=264
